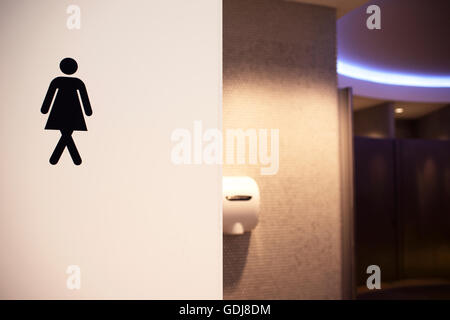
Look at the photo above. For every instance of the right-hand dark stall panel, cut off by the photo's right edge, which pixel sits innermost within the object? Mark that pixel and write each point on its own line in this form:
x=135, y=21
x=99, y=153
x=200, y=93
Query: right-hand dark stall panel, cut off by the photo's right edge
x=424, y=207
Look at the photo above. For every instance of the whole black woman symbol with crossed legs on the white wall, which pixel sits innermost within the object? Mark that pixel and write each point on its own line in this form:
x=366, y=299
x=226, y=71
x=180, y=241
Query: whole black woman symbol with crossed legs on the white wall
x=66, y=114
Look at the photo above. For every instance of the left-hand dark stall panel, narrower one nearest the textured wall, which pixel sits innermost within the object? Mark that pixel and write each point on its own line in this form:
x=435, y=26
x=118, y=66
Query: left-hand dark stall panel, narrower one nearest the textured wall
x=375, y=218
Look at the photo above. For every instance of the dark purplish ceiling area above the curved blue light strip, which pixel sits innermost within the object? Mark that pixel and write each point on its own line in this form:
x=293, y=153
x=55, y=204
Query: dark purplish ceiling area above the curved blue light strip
x=414, y=37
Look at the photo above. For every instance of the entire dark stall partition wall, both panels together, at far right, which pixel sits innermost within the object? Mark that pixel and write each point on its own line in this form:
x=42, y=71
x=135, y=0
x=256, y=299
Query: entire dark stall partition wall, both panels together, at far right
x=402, y=207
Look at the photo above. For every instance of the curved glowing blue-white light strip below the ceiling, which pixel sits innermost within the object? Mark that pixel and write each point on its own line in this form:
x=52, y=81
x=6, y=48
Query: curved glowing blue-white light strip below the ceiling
x=392, y=78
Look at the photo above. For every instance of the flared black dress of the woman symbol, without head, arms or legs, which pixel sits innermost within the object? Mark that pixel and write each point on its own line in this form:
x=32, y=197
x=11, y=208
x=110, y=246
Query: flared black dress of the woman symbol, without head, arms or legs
x=66, y=113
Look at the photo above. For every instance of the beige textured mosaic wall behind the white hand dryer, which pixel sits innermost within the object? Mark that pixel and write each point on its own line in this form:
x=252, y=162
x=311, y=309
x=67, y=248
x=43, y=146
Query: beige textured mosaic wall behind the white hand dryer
x=279, y=71
